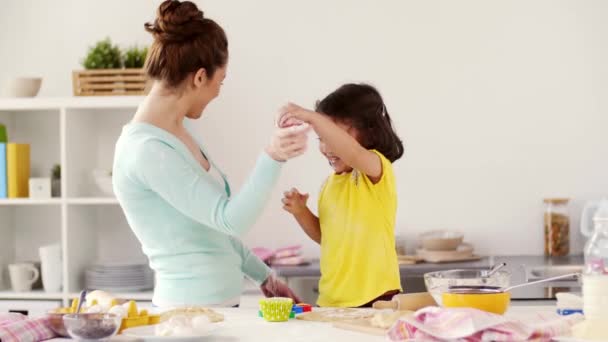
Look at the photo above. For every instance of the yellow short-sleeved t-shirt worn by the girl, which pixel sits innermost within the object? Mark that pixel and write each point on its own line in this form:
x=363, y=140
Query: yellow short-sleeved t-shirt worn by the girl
x=357, y=219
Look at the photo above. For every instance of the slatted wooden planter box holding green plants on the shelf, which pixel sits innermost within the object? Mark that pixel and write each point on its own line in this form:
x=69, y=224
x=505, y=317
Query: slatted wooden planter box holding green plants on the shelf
x=109, y=82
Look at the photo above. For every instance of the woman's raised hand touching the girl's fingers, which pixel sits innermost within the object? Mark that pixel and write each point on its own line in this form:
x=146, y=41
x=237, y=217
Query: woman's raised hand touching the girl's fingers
x=287, y=143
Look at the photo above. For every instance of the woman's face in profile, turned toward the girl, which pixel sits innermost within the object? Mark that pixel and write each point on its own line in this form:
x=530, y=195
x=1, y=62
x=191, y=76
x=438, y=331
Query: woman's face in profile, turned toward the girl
x=205, y=89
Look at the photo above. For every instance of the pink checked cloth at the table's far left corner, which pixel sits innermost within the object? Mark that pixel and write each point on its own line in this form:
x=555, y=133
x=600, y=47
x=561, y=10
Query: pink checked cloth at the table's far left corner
x=15, y=327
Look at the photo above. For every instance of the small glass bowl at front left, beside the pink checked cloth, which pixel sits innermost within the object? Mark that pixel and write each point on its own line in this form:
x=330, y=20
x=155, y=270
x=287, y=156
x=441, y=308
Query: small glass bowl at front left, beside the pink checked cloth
x=91, y=326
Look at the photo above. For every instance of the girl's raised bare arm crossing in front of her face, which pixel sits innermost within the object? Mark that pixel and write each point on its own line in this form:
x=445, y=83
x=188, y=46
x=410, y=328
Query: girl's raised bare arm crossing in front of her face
x=341, y=143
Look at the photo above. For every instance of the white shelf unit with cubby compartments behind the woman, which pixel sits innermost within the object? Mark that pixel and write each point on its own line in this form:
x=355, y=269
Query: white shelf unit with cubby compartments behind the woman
x=79, y=134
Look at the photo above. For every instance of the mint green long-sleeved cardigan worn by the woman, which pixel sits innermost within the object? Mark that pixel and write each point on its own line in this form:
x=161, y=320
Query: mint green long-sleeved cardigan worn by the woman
x=187, y=222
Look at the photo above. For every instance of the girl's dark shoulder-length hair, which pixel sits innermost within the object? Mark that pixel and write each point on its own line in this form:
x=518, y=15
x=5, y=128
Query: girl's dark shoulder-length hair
x=361, y=106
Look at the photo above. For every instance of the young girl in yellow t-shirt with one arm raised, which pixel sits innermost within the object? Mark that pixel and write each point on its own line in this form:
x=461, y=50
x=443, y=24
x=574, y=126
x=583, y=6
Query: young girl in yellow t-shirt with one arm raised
x=358, y=202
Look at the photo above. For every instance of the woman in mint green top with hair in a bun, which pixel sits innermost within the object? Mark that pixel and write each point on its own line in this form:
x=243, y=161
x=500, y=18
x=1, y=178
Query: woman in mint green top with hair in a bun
x=176, y=200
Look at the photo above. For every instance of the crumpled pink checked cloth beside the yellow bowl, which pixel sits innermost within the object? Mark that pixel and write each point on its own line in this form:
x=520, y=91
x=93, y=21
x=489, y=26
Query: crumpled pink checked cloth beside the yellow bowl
x=472, y=325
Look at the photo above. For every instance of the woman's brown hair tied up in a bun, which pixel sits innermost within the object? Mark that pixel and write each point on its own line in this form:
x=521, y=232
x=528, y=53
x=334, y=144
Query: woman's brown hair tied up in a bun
x=184, y=41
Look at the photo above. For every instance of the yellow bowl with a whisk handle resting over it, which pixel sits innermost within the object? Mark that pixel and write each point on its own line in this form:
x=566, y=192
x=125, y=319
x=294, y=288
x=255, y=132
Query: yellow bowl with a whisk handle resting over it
x=497, y=303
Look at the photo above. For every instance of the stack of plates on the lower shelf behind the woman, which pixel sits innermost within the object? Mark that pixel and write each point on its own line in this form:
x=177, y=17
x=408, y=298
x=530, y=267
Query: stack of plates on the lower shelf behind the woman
x=118, y=277
